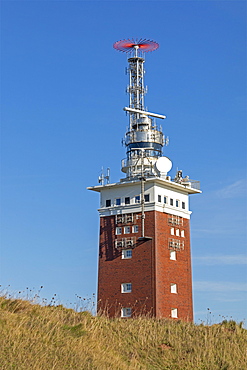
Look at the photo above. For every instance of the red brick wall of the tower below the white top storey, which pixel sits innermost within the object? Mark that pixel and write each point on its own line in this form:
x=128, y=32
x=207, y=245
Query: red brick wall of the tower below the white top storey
x=150, y=270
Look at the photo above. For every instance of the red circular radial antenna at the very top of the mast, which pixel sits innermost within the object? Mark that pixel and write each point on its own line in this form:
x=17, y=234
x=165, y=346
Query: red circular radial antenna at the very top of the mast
x=128, y=45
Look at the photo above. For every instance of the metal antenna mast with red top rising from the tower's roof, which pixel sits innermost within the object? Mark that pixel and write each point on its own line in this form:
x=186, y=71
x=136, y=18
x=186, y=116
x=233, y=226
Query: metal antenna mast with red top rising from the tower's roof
x=143, y=140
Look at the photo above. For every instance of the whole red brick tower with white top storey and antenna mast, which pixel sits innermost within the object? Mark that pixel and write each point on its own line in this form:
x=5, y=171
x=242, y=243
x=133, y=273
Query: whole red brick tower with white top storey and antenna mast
x=144, y=265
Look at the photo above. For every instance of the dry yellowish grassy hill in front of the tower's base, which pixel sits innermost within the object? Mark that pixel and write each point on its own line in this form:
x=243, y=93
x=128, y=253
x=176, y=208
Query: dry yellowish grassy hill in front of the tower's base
x=49, y=337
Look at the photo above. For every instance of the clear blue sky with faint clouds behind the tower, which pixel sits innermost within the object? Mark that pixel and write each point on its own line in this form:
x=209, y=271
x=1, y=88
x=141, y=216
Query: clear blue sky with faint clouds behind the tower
x=62, y=94
